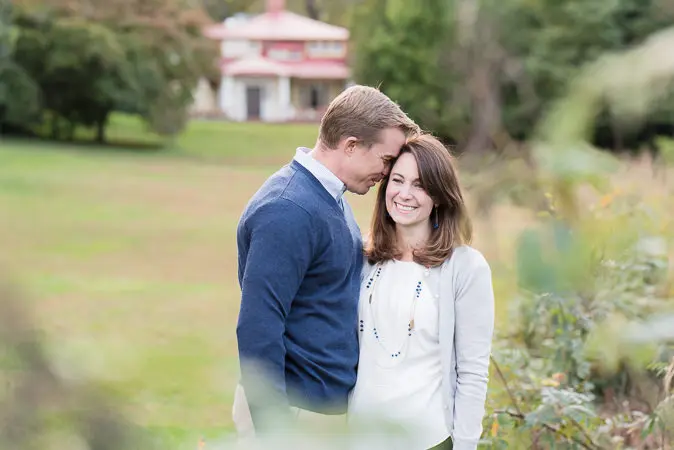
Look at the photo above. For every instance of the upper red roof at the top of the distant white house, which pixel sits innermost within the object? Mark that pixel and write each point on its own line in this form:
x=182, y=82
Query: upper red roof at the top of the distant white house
x=279, y=25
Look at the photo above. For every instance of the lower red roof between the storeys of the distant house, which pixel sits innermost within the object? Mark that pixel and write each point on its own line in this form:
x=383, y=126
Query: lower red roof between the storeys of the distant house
x=325, y=70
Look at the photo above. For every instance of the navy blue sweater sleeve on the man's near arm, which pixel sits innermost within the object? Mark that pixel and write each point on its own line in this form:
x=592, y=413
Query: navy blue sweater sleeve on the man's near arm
x=279, y=251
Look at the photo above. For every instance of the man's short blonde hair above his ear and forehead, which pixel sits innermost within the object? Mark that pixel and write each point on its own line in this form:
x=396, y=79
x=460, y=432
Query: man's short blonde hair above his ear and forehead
x=362, y=112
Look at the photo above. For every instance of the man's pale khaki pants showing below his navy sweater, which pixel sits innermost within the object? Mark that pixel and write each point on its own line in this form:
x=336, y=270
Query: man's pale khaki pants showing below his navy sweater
x=245, y=429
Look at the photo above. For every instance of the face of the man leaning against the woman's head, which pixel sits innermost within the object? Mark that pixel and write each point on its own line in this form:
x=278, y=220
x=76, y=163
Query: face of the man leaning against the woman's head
x=365, y=166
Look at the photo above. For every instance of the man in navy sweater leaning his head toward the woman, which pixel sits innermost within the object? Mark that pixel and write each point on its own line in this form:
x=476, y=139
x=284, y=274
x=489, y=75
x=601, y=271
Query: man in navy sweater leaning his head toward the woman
x=300, y=258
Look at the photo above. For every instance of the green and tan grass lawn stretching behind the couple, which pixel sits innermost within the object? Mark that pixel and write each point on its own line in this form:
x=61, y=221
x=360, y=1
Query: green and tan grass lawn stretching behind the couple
x=129, y=258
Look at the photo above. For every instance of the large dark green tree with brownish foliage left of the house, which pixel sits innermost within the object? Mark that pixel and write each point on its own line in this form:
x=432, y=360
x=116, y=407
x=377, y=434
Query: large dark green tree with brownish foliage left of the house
x=93, y=57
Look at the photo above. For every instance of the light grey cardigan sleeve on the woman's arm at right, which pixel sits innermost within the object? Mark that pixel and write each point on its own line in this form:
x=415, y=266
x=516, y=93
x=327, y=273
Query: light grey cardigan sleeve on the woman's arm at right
x=474, y=327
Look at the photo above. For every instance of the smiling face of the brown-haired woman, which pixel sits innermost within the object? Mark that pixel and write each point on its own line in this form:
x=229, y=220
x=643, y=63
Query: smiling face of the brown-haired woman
x=407, y=202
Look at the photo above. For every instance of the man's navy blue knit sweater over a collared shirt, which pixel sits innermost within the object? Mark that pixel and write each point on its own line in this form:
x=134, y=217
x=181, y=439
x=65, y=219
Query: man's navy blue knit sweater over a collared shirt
x=300, y=258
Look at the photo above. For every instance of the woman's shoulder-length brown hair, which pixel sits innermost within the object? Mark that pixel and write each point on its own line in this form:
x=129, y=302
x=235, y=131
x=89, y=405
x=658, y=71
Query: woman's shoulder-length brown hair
x=438, y=177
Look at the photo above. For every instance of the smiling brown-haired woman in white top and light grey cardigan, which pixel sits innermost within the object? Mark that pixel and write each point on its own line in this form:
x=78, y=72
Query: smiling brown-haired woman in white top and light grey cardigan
x=426, y=309
